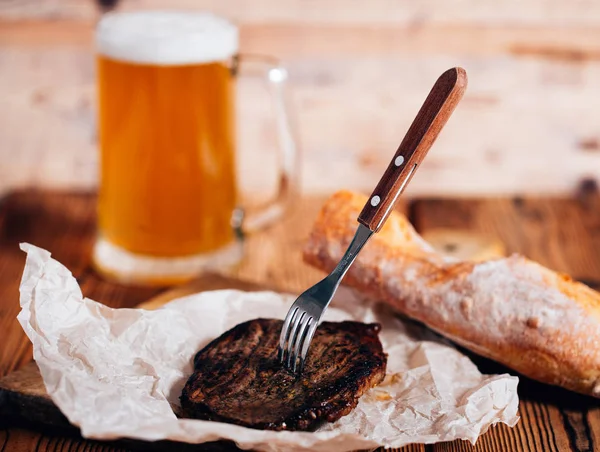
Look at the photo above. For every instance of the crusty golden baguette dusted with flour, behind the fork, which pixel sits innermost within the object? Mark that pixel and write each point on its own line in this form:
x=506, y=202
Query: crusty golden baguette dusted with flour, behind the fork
x=538, y=322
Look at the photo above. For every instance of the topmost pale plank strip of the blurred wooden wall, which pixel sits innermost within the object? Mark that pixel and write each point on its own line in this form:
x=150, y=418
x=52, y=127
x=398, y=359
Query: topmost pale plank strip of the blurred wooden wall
x=397, y=13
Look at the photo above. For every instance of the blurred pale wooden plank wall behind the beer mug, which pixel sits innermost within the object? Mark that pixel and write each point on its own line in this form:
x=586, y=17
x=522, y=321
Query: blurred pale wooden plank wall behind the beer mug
x=530, y=121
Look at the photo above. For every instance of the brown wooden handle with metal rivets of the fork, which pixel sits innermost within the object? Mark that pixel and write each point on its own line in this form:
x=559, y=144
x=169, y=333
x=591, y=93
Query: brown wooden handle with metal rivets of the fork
x=437, y=108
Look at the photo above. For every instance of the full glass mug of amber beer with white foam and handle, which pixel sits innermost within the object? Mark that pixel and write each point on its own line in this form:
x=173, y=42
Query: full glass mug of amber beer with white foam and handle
x=168, y=202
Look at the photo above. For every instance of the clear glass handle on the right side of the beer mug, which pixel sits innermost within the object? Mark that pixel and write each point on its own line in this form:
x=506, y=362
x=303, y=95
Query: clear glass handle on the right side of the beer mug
x=268, y=69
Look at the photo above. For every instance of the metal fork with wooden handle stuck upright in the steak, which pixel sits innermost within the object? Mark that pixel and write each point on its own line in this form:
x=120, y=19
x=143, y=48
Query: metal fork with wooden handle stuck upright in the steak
x=305, y=314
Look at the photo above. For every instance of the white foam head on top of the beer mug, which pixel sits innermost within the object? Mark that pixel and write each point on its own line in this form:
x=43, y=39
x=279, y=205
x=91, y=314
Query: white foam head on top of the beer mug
x=166, y=37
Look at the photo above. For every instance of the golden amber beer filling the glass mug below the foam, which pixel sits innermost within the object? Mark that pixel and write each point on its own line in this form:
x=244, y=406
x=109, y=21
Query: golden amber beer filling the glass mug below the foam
x=167, y=162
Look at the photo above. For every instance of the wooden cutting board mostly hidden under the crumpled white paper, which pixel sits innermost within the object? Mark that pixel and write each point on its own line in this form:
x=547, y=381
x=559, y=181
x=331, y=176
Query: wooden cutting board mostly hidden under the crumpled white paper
x=22, y=392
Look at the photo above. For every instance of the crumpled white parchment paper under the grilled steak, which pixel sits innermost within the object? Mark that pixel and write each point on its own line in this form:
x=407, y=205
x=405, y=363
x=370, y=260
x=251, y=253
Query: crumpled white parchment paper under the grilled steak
x=119, y=372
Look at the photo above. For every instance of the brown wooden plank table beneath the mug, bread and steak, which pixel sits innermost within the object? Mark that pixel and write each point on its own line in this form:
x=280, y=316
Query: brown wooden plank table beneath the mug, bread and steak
x=563, y=234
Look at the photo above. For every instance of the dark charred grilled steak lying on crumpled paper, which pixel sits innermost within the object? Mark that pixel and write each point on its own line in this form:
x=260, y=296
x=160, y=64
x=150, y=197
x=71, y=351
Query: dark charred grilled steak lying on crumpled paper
x=238, y=379
